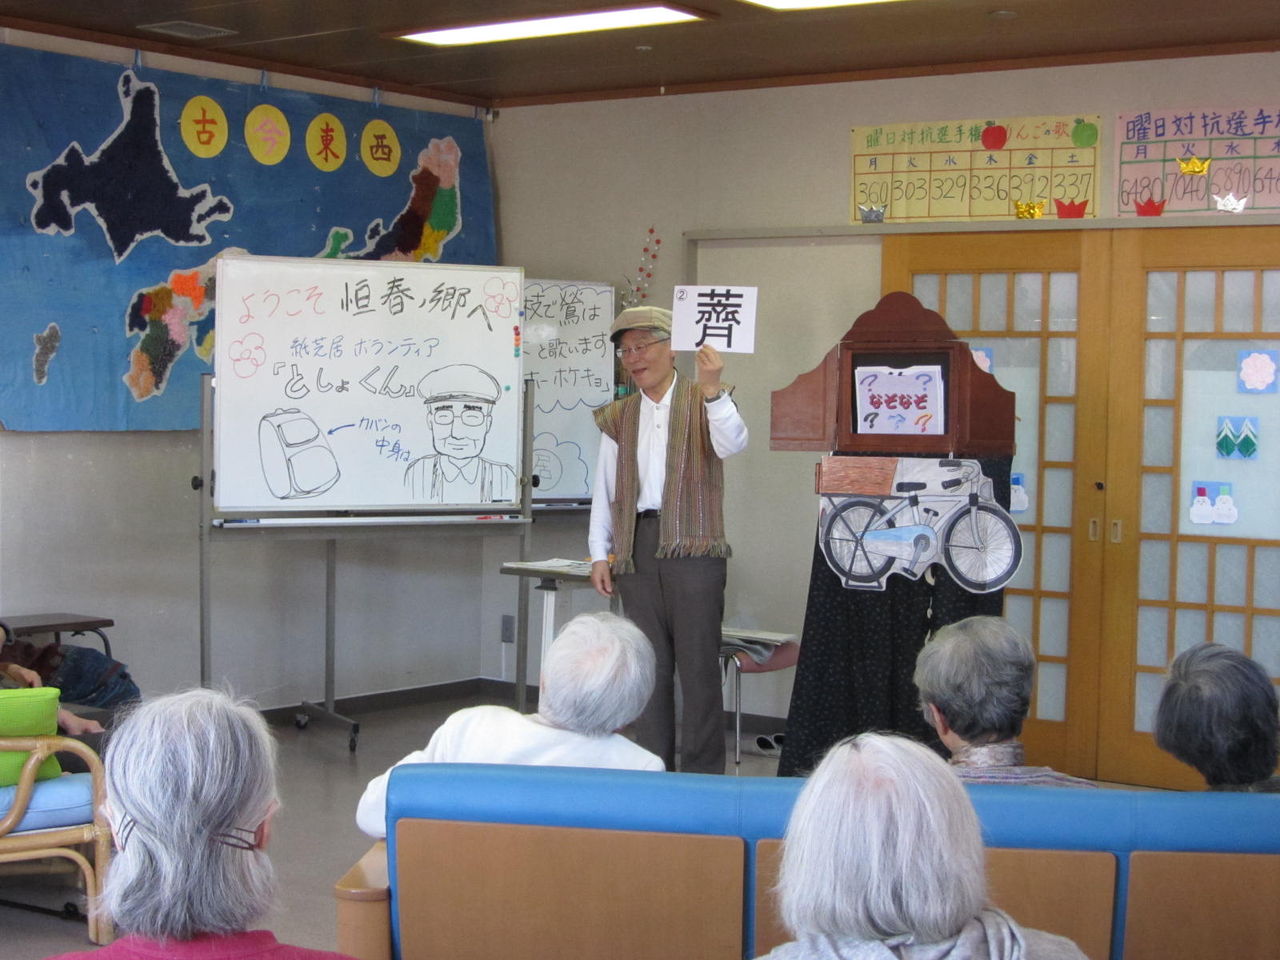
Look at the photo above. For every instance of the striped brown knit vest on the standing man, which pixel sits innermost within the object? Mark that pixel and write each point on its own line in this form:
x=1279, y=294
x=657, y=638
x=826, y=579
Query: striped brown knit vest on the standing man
x=693, y=491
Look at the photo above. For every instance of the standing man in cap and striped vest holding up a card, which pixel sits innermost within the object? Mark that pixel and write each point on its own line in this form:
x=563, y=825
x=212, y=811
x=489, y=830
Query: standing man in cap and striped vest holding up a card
x=659, y=509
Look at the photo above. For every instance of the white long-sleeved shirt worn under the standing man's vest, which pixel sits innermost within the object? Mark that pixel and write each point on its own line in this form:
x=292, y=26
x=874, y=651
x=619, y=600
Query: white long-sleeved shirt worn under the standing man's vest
x=729, y=437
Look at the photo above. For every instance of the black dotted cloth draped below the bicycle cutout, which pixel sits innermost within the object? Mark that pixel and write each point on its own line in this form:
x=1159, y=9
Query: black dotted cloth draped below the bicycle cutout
x=858, y=652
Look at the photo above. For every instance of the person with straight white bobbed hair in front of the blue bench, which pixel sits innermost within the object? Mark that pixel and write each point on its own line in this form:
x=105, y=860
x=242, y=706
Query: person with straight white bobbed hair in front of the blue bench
x=884, y=861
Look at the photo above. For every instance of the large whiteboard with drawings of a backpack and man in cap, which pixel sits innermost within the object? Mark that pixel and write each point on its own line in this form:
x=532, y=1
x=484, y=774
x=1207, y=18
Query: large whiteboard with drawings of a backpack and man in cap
x=362, y=385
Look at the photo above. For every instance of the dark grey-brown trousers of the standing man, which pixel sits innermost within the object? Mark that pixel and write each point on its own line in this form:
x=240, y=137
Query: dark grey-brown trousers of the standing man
x=679, y=604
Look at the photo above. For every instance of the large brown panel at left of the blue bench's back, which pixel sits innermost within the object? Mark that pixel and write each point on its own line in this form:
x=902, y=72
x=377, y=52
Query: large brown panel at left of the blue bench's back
x=483, y=890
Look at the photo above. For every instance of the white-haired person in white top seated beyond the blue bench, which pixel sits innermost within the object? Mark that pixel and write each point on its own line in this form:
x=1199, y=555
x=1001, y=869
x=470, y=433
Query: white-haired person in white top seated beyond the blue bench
x=597, y=678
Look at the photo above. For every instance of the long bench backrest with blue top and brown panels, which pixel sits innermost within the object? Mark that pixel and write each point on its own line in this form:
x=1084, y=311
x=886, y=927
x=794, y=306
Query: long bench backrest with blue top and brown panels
x=1059, y=860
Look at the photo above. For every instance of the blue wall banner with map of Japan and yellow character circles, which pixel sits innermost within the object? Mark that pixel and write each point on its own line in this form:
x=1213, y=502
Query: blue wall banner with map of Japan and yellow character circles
x=121, y=188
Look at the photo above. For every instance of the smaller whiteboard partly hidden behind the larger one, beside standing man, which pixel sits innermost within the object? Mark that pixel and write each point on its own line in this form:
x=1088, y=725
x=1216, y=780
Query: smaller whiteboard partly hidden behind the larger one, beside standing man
x=570, y=358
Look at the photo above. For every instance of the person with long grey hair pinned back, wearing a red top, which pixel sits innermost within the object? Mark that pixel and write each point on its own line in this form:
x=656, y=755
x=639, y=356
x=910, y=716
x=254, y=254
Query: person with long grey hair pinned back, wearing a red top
x=190, y=797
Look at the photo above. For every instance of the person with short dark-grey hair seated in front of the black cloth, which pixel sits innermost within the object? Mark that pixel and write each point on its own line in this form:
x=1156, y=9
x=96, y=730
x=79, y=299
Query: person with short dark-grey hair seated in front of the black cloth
x=976, y=687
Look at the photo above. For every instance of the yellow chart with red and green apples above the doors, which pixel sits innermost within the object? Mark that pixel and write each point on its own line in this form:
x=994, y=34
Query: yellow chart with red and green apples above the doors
x=980, y=170
